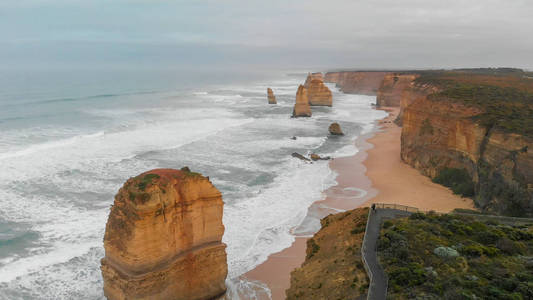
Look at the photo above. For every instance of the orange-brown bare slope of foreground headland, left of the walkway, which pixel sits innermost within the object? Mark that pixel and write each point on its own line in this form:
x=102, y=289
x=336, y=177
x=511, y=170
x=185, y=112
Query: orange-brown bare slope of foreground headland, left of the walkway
x=333, y=268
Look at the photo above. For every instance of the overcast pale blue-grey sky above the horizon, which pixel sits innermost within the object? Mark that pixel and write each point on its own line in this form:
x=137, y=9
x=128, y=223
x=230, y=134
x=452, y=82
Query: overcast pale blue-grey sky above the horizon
x=290, y=34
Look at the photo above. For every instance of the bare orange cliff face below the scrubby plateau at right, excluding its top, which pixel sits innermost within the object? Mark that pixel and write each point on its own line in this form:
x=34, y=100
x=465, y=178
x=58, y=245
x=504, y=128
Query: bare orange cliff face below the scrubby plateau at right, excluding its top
x=438, y=133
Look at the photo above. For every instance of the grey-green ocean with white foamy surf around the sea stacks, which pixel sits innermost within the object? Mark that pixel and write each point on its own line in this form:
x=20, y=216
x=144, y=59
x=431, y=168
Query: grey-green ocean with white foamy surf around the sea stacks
x=69, y=140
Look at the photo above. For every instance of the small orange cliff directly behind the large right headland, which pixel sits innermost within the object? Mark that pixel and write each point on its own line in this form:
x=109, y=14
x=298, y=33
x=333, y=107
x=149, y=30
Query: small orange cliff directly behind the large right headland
x=391, y=88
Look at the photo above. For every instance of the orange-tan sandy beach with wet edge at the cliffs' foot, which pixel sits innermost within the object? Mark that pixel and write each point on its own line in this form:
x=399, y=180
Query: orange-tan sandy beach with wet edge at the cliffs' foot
x=375, y=174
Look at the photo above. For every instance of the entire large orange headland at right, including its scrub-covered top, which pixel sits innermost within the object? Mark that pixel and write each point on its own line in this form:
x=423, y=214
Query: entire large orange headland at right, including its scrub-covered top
x=478, y=122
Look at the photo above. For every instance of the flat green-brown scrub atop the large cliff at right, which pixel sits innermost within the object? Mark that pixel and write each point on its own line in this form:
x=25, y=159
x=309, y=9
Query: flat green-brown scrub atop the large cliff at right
x=504, y=95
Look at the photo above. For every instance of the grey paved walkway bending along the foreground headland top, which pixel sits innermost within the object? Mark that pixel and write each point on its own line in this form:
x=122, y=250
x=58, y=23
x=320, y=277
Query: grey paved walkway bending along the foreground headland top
x=378, y=285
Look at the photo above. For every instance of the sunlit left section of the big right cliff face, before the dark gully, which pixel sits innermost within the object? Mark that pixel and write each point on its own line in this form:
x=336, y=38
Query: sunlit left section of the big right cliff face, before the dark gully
x=439, y=134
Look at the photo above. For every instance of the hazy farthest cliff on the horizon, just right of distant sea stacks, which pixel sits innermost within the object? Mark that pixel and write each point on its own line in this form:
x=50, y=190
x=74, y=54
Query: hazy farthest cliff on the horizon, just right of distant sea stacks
x=356, y=82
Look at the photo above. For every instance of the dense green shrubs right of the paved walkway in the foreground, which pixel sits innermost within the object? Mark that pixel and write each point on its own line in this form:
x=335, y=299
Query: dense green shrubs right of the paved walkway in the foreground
x=430, y=256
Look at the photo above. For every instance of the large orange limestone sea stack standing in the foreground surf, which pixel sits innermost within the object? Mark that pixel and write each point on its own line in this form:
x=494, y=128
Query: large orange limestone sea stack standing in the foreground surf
x=163, y=238
